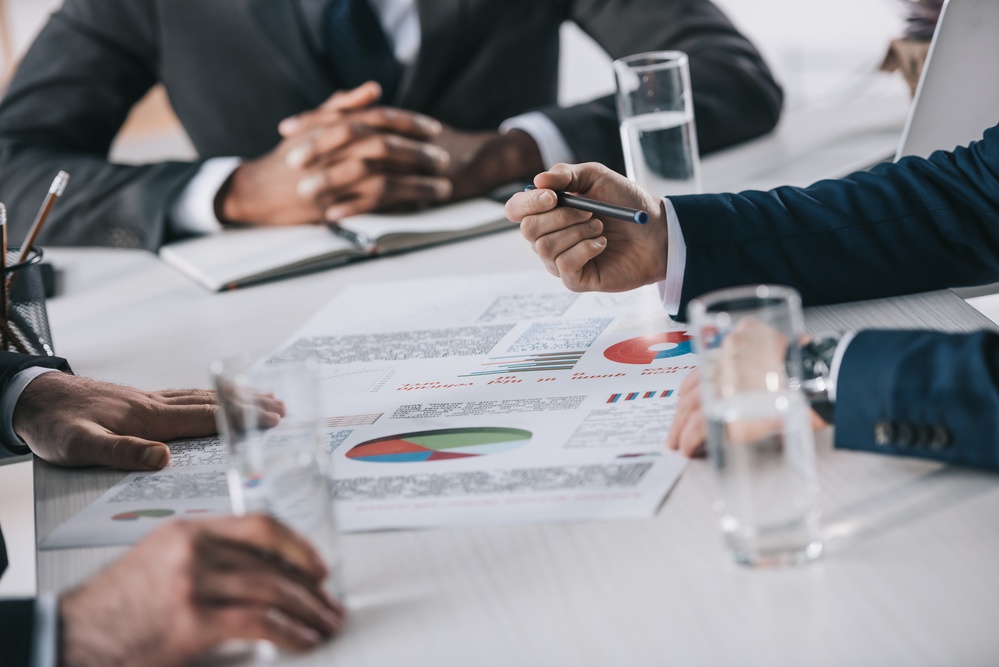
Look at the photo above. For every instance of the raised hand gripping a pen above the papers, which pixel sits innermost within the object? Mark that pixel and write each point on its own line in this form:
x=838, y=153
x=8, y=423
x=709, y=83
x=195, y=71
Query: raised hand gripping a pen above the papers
x=586, y=251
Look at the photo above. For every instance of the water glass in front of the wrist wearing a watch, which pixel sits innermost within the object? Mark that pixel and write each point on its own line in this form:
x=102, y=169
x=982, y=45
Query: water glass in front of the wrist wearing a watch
x=759, y=429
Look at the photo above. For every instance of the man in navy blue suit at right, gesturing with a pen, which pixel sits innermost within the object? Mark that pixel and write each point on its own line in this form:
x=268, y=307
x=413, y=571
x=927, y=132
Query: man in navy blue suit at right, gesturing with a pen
x=917, y=225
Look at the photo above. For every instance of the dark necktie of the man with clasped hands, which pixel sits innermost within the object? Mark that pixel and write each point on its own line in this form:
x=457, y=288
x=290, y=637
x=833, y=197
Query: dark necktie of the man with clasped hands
x=358, y=47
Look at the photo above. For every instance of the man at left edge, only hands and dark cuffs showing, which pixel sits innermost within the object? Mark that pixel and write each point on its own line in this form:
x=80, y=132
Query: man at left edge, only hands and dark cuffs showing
x=186, y=587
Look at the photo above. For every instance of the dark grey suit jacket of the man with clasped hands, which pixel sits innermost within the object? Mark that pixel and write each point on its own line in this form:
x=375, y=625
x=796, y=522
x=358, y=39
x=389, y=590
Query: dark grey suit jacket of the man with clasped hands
x=234, y=68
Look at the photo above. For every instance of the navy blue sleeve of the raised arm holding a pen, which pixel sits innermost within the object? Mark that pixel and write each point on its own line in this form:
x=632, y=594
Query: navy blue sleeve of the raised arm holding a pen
x=914, y=226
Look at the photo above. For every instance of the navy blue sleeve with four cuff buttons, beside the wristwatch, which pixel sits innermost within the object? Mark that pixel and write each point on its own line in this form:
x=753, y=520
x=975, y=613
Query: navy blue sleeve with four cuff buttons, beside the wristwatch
x=934, y=395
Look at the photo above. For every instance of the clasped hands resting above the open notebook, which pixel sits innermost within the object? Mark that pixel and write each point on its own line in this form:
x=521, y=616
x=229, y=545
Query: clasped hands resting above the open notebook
x=350, y=156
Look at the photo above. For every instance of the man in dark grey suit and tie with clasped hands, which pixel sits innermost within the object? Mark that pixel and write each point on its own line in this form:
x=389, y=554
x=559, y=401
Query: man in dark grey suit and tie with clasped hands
x=385, y=103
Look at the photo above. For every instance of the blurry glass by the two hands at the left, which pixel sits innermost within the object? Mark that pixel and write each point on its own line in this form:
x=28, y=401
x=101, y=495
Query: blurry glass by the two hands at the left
x=270, y=418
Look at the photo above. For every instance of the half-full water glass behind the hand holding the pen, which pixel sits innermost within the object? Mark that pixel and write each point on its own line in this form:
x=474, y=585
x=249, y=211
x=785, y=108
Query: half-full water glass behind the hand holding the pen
x=656, y=110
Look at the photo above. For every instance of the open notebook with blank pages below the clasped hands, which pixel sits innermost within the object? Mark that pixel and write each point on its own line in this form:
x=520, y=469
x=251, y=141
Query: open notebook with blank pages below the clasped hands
x=242, y=256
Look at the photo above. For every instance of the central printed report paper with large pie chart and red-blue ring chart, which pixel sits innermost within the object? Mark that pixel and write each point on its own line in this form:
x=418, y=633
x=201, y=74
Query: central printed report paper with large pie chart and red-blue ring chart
x=500, y=398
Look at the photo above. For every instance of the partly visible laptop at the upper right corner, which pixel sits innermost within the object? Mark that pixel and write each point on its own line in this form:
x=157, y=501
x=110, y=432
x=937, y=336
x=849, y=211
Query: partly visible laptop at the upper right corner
x=957, y=98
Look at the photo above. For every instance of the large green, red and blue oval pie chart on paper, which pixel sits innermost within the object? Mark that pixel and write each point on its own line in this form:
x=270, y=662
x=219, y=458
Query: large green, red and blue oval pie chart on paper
x=449, y=443
